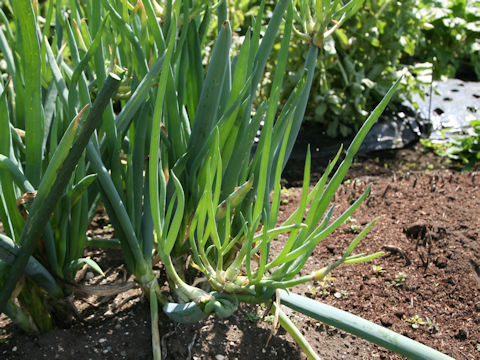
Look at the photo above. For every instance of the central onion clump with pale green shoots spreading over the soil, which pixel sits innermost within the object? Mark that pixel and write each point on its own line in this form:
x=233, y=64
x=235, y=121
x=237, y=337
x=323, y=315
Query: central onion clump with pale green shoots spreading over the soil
x=194, y=192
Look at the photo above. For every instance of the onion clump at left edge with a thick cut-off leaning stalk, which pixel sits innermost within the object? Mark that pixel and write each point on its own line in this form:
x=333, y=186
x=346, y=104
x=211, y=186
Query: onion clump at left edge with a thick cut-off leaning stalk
x=44, y=204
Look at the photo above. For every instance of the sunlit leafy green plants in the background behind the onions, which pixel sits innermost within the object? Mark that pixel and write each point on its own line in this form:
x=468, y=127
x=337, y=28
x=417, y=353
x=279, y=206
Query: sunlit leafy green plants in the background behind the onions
x=362, y=58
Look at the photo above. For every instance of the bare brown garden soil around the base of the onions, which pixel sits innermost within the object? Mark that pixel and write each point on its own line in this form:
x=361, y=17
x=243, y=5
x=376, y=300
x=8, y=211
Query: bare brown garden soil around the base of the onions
x=428, y=224
